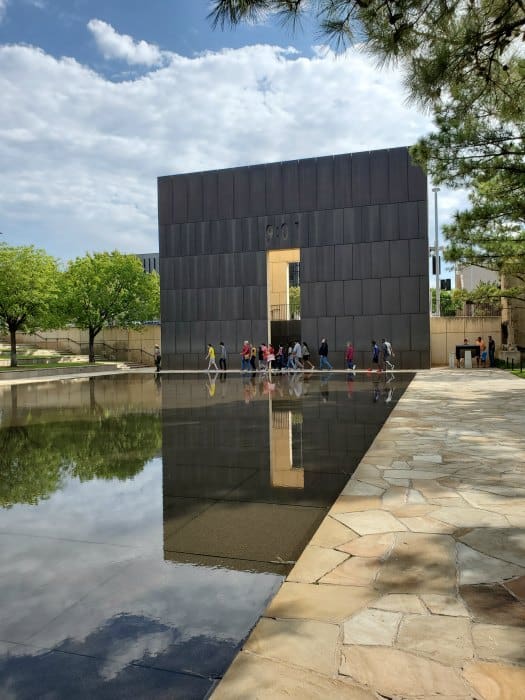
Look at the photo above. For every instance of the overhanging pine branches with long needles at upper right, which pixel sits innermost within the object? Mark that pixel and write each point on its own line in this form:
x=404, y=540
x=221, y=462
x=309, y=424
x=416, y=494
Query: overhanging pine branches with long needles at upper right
x=465, y=63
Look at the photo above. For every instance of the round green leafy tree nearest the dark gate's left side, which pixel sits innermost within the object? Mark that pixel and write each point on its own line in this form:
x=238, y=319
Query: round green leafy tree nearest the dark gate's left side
x=103, y=289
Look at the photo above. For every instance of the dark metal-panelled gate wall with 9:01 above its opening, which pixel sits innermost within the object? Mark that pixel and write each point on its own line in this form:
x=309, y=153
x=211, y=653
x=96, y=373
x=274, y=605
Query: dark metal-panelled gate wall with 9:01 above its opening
x=360, y=222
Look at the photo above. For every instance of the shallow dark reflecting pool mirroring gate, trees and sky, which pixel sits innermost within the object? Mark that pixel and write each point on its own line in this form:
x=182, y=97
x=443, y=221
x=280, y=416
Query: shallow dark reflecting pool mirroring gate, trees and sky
x=145, y=522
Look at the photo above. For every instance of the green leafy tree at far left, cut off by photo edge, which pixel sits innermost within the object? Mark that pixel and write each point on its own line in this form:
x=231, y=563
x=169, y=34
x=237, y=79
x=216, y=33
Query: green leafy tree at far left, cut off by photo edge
x=29, y=289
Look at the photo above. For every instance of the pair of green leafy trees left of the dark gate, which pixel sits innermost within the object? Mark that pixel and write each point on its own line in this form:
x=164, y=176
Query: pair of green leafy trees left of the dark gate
x=91, y=292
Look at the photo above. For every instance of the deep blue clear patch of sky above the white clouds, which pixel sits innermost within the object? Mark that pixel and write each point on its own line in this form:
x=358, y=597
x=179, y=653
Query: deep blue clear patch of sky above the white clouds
x=59, y=27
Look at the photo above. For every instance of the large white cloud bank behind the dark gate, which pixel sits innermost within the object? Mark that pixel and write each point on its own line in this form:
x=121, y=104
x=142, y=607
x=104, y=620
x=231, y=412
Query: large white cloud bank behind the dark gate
x=81, y=154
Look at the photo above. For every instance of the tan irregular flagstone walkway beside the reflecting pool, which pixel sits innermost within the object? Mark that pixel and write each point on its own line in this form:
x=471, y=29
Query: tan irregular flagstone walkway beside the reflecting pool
x=414, y=585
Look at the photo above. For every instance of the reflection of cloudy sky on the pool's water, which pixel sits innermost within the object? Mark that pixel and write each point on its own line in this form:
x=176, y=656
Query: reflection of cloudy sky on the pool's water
x=83, y=572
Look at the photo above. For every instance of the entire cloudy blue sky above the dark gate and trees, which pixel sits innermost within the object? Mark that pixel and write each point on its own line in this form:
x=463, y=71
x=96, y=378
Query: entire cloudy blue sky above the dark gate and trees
x=100, y=98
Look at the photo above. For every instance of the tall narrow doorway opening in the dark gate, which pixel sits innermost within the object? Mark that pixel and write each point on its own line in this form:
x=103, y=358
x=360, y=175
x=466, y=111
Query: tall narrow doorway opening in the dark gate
x=284, y=296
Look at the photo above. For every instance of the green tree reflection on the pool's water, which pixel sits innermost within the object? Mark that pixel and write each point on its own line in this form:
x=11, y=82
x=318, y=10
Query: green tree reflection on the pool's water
x=36, y=460
